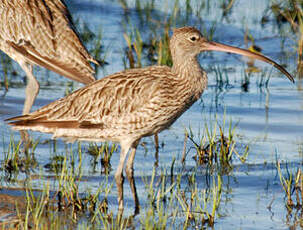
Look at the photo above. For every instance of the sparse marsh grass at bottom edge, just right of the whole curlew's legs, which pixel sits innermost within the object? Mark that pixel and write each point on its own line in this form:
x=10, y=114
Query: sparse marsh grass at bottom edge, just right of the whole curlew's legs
x=174, y=204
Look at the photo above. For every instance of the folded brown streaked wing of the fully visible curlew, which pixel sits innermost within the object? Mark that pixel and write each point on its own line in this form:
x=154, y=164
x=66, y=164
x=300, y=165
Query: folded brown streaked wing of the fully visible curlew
x=114, y=95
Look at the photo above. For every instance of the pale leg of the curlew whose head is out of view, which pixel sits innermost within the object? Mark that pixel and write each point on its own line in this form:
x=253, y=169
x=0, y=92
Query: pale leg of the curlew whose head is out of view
x=32, y=88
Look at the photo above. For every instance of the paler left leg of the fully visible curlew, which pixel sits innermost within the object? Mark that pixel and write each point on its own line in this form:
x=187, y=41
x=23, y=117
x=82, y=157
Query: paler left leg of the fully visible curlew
x=119, y=175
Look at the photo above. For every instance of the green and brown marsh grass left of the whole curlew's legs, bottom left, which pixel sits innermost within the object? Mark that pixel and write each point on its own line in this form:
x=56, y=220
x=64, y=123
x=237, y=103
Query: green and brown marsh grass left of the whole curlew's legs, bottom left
x=63, y=205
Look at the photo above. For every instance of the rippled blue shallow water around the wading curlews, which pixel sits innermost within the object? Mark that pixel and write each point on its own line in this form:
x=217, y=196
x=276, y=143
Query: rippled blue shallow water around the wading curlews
x=270, y=118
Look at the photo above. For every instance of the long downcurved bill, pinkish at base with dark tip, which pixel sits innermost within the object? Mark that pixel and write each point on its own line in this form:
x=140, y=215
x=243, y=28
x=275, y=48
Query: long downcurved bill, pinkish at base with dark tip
x=208, y=45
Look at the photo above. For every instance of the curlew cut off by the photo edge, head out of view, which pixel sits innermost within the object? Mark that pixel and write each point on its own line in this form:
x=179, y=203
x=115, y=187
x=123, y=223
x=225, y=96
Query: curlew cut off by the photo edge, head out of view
x=41, y=32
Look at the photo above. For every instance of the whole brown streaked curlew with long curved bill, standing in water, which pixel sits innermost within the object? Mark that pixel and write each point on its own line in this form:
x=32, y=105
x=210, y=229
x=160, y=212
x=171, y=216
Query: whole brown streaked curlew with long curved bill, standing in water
x=135, y=103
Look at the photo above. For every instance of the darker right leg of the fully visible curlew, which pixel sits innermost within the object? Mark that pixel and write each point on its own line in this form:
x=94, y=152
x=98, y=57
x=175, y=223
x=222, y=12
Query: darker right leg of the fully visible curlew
x=129, y=169
